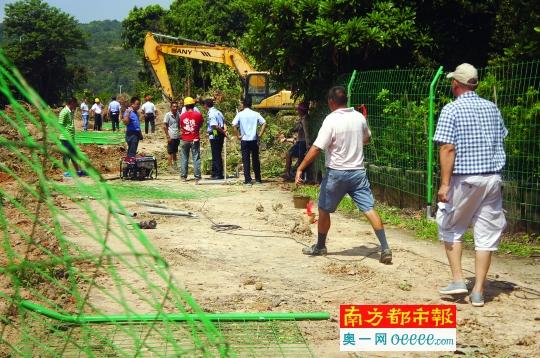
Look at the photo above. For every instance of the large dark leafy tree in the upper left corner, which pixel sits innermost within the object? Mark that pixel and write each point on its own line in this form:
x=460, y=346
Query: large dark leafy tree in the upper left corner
x=38, y=39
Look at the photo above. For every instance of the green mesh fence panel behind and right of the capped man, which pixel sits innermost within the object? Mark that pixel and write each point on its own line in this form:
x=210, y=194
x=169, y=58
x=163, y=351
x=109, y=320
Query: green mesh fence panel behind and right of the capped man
x=516, y=91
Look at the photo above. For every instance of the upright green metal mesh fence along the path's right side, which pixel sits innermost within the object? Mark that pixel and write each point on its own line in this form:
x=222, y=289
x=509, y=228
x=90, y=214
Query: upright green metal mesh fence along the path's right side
x=403, y=106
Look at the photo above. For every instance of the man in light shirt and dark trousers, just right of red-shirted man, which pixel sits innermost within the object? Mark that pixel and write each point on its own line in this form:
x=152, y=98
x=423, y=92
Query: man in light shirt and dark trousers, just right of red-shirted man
x=217, y=132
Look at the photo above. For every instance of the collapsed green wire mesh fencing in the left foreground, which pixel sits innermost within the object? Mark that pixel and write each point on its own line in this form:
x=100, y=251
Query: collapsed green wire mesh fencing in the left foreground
x=90, y=261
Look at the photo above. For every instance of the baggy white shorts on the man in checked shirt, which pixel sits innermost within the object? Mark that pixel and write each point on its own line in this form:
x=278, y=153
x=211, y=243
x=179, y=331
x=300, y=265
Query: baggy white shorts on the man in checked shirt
x=476, y=200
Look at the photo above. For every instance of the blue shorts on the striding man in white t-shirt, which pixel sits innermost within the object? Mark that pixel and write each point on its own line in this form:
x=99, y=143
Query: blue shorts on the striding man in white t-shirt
x=337, y=183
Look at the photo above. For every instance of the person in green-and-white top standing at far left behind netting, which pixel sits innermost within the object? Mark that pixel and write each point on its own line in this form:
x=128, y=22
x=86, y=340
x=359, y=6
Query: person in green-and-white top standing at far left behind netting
x=65, y=119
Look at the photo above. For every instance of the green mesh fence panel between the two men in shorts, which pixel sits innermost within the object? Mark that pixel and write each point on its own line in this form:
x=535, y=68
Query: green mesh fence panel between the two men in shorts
x=397, y=104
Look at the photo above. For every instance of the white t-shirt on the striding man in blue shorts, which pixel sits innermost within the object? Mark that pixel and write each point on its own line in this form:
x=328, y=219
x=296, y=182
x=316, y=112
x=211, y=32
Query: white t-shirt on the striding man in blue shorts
x=342, y=136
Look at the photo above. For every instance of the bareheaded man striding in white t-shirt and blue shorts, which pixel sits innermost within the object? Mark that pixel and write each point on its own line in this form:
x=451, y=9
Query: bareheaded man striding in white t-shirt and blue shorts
x=343, y=135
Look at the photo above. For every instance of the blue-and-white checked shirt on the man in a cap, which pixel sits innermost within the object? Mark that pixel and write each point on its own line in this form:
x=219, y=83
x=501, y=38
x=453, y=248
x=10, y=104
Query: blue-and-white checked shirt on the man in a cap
x=476, y=128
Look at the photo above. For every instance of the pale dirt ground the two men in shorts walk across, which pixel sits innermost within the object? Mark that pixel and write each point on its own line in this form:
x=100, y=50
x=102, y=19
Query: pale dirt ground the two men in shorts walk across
x=259, y=267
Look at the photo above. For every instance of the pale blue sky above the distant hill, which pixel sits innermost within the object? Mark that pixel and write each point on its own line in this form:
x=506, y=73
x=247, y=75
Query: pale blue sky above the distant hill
x=85, y=11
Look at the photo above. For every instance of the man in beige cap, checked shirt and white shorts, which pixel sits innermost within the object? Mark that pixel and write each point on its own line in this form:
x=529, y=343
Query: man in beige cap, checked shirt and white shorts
x=471, y=133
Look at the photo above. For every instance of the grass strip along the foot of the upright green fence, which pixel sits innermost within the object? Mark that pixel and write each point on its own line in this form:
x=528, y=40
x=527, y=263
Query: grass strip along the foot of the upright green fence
x=424, y=229
